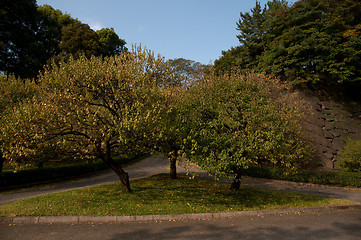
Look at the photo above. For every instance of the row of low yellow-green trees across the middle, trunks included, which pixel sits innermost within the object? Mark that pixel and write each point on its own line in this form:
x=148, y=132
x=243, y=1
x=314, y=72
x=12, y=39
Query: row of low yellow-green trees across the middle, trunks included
x=101, y=107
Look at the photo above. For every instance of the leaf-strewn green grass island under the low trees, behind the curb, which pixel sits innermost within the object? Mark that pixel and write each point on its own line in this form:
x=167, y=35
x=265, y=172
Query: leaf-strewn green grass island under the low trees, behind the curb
x=161, y=195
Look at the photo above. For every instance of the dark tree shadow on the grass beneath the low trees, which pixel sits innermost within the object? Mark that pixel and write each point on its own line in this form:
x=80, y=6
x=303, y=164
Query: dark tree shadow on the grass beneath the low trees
x=200, y=194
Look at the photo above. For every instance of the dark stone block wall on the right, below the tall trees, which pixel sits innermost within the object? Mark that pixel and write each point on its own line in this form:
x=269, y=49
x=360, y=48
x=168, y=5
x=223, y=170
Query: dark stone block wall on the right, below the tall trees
x=329, y=125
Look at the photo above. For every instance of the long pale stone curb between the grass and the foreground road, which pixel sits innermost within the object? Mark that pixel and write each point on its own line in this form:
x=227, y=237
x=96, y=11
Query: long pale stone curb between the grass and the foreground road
x=170, y=217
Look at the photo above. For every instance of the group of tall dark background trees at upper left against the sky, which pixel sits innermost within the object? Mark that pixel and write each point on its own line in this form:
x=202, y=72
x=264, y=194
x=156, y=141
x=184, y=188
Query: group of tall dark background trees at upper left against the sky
x=32, y=36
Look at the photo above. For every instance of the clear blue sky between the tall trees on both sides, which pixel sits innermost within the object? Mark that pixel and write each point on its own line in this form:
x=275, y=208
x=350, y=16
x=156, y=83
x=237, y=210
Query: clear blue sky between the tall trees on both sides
x=192, y=29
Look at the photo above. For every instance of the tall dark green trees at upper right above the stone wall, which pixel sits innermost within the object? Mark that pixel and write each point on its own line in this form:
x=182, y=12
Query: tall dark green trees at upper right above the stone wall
x=313, y=42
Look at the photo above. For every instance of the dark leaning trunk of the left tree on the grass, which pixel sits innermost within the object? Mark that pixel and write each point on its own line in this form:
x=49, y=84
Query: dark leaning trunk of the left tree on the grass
x=123, y=176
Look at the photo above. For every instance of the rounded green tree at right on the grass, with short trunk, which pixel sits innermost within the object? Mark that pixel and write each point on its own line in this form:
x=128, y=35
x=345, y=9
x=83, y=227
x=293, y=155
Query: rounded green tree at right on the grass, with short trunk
x=235, y=121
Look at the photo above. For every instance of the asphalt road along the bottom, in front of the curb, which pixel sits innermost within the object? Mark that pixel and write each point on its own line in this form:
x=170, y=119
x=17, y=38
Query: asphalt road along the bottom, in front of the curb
x=340, y=225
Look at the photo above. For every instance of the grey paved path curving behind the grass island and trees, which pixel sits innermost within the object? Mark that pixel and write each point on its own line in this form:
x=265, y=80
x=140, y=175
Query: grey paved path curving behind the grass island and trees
x=159, y=164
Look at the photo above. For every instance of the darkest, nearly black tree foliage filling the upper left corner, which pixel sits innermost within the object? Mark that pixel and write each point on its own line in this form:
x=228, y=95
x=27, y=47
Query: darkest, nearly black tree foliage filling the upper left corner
x=30, y=36
